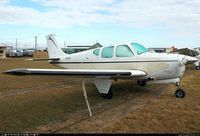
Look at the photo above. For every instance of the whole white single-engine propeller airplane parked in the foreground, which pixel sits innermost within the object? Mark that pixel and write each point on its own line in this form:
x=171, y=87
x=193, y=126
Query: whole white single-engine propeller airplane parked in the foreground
x=132, y=61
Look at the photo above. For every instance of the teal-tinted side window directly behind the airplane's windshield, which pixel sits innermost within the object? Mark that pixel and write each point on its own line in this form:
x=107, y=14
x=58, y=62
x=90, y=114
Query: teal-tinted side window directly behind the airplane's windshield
x=123, y=51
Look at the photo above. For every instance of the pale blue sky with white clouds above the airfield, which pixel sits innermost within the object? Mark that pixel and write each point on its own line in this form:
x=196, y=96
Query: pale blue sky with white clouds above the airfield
x=153, y=23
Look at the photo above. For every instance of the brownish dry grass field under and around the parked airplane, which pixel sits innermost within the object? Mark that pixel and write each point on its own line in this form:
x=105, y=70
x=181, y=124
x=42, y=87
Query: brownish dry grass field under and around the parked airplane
x=55, y=104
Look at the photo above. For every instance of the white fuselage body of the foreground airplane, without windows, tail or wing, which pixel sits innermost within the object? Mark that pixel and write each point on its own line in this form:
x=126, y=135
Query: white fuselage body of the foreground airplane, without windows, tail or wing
x=156, y=65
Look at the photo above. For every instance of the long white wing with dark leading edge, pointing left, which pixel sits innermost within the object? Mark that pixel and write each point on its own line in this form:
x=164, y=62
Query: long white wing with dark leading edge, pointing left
x=76, y=72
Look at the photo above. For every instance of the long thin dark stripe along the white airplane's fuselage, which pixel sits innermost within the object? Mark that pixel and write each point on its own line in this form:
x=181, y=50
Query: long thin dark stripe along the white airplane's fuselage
x=57, y=62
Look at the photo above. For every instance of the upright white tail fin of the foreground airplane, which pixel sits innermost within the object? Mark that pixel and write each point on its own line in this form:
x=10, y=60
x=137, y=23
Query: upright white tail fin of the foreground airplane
x=54, y=50
